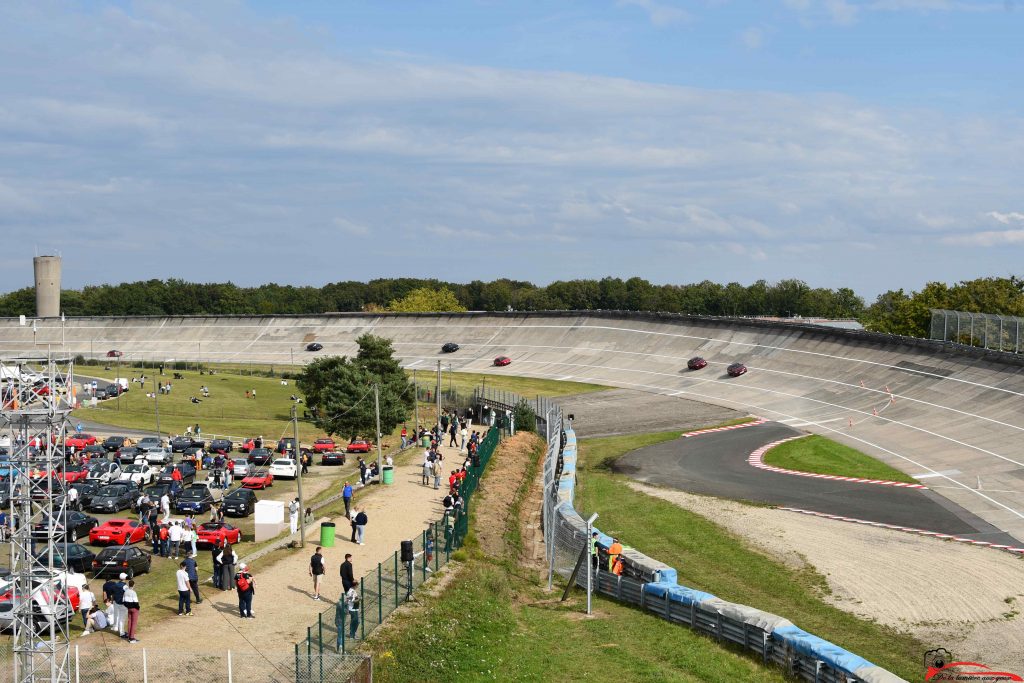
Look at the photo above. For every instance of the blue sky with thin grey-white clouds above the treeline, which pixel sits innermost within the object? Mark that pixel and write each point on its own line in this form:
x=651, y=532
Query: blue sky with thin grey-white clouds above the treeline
x=870, y=144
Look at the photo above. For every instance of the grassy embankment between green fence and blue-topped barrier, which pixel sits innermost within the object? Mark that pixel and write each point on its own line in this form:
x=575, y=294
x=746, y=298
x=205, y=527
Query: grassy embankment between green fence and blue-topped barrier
x=494, y=621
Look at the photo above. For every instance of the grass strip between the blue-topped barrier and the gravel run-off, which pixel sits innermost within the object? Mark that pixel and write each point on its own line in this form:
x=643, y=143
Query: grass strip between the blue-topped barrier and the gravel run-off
x=710, y=559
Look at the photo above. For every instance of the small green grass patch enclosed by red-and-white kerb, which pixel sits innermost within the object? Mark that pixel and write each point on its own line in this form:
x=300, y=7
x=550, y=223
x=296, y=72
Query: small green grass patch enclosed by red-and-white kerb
x=823, y=456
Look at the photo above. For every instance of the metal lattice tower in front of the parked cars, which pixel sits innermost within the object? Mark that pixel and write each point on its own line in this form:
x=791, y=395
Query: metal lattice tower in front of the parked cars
x=36, y=398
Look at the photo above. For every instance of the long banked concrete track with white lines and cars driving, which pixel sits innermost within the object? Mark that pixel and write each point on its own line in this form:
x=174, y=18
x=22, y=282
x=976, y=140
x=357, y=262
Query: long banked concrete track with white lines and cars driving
x=954, y=416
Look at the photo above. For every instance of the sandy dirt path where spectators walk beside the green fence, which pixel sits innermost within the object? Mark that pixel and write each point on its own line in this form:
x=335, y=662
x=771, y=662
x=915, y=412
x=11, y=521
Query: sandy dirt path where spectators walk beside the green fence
x=284, y=605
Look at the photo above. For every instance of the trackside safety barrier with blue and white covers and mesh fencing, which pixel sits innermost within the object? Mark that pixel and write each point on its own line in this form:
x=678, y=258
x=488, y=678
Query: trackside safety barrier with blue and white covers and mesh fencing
x=653, y=585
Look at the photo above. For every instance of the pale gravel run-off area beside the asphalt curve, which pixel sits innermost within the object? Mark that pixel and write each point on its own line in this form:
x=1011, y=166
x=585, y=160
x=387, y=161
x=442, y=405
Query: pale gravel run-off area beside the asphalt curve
x=966, y=600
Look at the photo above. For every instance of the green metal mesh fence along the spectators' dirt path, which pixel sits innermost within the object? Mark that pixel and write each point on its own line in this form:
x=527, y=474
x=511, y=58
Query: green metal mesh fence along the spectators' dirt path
x=385, y=589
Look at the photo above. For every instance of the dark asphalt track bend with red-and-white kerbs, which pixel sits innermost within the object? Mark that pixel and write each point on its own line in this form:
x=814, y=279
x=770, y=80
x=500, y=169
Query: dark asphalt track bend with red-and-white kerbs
x=716, y=465
